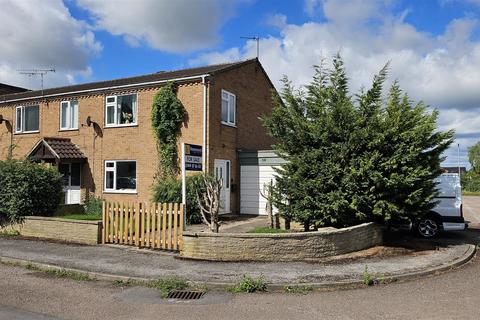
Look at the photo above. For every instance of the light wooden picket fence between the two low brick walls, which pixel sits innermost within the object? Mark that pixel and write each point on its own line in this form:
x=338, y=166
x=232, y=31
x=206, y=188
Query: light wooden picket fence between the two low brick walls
x=146, y=225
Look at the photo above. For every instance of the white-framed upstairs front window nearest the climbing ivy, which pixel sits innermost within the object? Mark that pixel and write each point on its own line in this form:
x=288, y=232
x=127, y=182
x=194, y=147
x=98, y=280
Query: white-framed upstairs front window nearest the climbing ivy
x=121, y=110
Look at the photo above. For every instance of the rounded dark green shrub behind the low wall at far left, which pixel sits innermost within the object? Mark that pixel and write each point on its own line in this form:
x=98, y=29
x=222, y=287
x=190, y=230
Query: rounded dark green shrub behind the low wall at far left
x=28, y=189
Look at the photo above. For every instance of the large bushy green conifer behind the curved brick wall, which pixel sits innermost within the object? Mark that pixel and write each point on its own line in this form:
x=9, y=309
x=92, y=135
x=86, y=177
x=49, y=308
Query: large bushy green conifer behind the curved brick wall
x=354, y=159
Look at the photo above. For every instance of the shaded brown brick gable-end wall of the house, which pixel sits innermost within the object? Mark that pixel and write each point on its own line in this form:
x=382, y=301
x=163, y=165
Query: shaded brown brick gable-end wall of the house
x=253, y=100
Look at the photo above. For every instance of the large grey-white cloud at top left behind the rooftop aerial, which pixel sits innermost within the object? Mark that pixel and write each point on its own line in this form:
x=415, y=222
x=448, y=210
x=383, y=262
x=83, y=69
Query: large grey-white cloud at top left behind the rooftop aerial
x=43, y=36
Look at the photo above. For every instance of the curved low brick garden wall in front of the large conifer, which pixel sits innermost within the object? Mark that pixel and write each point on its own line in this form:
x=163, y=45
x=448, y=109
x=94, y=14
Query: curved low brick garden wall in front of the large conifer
x=300, y=246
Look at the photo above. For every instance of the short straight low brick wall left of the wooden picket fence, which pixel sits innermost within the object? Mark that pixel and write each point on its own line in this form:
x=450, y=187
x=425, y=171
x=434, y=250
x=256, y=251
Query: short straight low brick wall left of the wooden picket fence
x=77, y=231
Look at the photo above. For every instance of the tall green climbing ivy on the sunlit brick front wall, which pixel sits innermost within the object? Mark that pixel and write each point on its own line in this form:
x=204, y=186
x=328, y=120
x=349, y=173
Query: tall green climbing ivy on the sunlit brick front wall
x=167, y=117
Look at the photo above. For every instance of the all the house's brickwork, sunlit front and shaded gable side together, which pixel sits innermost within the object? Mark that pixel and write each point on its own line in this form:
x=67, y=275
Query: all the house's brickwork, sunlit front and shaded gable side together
x=247, y=82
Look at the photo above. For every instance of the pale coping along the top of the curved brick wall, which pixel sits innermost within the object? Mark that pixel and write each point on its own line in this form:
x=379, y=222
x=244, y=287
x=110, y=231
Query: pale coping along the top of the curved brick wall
x=322, y=231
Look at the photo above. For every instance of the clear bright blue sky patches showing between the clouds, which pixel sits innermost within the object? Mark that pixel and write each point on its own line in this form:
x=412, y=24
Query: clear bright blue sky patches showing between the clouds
x=250, y=19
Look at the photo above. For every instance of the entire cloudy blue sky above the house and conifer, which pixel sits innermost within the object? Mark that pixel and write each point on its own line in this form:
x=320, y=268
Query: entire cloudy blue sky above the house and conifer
x=433, y=45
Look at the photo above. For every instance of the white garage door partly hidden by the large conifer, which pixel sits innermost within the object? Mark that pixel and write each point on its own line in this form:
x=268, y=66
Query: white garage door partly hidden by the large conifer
x=252, y=179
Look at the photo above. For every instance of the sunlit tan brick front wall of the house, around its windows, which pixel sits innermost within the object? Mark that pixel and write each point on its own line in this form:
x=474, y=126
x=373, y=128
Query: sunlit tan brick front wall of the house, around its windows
x=100, y=143
